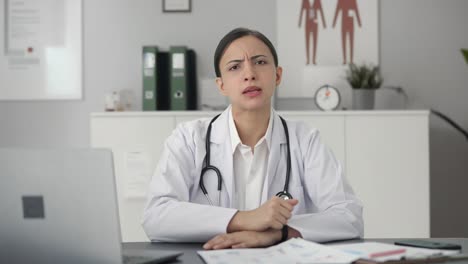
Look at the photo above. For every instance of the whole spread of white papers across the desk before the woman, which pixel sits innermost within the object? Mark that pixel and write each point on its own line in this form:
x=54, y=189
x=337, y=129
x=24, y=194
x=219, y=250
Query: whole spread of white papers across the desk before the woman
x=301, y=251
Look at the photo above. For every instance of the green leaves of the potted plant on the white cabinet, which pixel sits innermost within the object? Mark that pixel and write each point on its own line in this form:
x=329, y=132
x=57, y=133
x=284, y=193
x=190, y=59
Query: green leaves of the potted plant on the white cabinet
x=364, y=76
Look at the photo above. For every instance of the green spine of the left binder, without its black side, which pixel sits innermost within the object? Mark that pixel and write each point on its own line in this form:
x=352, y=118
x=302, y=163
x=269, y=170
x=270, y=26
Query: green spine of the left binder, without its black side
x=150, y=78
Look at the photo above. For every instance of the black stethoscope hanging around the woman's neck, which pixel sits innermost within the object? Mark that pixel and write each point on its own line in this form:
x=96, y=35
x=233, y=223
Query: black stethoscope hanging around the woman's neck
x=284, y=194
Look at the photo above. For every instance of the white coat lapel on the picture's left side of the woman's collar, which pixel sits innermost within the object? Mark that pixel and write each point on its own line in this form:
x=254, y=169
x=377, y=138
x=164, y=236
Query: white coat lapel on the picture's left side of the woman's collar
x=221, y=152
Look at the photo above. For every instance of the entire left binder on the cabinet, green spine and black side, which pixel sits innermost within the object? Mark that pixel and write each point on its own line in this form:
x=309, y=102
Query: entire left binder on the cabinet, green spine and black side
x=155, y=79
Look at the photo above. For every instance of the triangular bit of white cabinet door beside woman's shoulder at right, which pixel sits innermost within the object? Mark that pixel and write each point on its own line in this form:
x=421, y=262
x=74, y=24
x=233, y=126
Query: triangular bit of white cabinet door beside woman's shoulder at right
x=331, y=128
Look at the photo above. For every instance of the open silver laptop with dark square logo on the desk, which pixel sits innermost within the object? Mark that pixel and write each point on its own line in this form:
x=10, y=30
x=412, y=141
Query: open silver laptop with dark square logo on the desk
x=60, y=206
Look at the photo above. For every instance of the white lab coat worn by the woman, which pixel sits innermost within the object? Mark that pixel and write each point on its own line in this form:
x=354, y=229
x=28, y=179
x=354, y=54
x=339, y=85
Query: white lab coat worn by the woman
x=177, y=210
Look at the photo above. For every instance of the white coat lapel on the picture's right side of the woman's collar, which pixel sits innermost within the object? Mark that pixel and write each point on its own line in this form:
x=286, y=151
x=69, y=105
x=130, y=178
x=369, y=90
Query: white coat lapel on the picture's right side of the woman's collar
x=278, y=142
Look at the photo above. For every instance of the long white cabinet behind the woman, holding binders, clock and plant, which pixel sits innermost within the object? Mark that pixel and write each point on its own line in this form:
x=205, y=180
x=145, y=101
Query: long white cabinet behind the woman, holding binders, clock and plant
x=385, y=154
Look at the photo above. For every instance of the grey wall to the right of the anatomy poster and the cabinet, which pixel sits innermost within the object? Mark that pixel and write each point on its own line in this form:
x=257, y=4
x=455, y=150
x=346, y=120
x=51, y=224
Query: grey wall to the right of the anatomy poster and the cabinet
x=420, y=50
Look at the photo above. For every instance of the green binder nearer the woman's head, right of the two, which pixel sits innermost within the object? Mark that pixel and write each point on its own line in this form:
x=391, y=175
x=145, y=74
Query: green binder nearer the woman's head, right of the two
x=183, y=84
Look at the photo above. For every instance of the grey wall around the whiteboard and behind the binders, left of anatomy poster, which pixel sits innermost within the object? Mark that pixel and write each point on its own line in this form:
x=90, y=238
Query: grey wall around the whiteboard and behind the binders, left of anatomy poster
x=114, y=31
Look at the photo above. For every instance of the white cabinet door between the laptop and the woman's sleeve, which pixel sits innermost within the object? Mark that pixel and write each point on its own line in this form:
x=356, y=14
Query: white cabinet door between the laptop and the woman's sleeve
x=136, y=142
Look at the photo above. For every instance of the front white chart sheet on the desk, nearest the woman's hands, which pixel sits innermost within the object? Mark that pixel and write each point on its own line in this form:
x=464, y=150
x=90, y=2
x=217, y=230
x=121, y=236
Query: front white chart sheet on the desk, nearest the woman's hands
x=292, y=251
